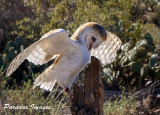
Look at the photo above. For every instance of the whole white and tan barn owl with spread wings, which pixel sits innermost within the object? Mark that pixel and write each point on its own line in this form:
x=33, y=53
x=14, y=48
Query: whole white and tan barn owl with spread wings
x=71, y=54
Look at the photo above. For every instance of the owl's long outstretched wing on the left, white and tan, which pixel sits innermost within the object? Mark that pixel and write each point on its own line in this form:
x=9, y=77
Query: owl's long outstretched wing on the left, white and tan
x=40, y=52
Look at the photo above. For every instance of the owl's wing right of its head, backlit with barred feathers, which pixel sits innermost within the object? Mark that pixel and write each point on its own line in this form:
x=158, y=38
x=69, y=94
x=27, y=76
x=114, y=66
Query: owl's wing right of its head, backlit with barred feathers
x=106, y=51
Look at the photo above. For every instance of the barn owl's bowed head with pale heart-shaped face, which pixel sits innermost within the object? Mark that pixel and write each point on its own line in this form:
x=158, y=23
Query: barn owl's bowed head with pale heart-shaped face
x=91, y=33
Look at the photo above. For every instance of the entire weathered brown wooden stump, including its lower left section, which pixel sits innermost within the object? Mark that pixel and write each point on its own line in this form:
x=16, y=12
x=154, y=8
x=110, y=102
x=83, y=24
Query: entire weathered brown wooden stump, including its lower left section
x=88, y=99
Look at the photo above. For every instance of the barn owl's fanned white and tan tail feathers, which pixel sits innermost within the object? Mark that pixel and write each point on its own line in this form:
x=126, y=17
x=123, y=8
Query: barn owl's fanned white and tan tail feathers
x=44, y=81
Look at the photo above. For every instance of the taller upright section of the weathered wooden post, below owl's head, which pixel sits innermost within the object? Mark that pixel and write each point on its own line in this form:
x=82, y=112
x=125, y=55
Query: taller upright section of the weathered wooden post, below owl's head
x=94, y=88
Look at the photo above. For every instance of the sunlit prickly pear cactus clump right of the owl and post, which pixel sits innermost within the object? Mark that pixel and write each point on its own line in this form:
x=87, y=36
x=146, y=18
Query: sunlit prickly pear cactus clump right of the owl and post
x=136, y=63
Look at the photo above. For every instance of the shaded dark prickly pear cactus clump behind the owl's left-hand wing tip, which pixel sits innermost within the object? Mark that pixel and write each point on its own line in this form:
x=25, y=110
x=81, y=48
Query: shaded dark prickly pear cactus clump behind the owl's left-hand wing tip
x=26, y=69
